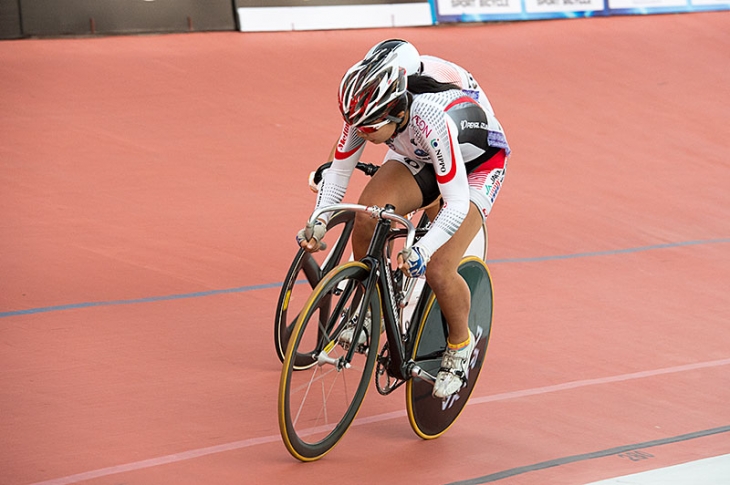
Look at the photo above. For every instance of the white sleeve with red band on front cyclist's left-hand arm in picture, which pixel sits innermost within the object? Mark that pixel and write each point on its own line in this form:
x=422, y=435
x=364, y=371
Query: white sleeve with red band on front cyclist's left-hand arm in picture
x=336, y=178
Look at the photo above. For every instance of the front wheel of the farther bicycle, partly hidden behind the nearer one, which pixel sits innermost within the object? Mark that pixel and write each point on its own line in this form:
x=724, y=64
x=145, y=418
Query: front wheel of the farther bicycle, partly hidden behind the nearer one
x=304, y=273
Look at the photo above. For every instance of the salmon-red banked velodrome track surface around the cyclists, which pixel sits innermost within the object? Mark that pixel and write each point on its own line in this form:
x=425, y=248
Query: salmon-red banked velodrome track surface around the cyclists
x=151, y=187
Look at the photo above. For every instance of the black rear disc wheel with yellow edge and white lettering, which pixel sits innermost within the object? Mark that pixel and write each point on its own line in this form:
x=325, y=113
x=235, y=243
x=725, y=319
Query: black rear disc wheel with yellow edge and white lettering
x=430, y=417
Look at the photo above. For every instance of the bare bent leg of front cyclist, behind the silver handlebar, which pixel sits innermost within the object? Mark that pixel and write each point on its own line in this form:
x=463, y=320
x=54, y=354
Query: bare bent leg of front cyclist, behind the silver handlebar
x=392, y=184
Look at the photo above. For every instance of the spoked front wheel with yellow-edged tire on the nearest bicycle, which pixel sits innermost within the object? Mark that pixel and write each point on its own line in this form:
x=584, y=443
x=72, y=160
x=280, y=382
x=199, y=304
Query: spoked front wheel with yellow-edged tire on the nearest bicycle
x=312, y=423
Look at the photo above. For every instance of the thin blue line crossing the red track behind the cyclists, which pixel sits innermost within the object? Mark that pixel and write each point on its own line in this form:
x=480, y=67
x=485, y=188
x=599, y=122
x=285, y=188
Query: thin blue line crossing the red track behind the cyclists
x=244, y=289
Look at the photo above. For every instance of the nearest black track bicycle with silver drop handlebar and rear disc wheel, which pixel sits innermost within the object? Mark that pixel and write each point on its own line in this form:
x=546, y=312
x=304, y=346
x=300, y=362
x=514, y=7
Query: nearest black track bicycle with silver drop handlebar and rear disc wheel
x=324, y=382
